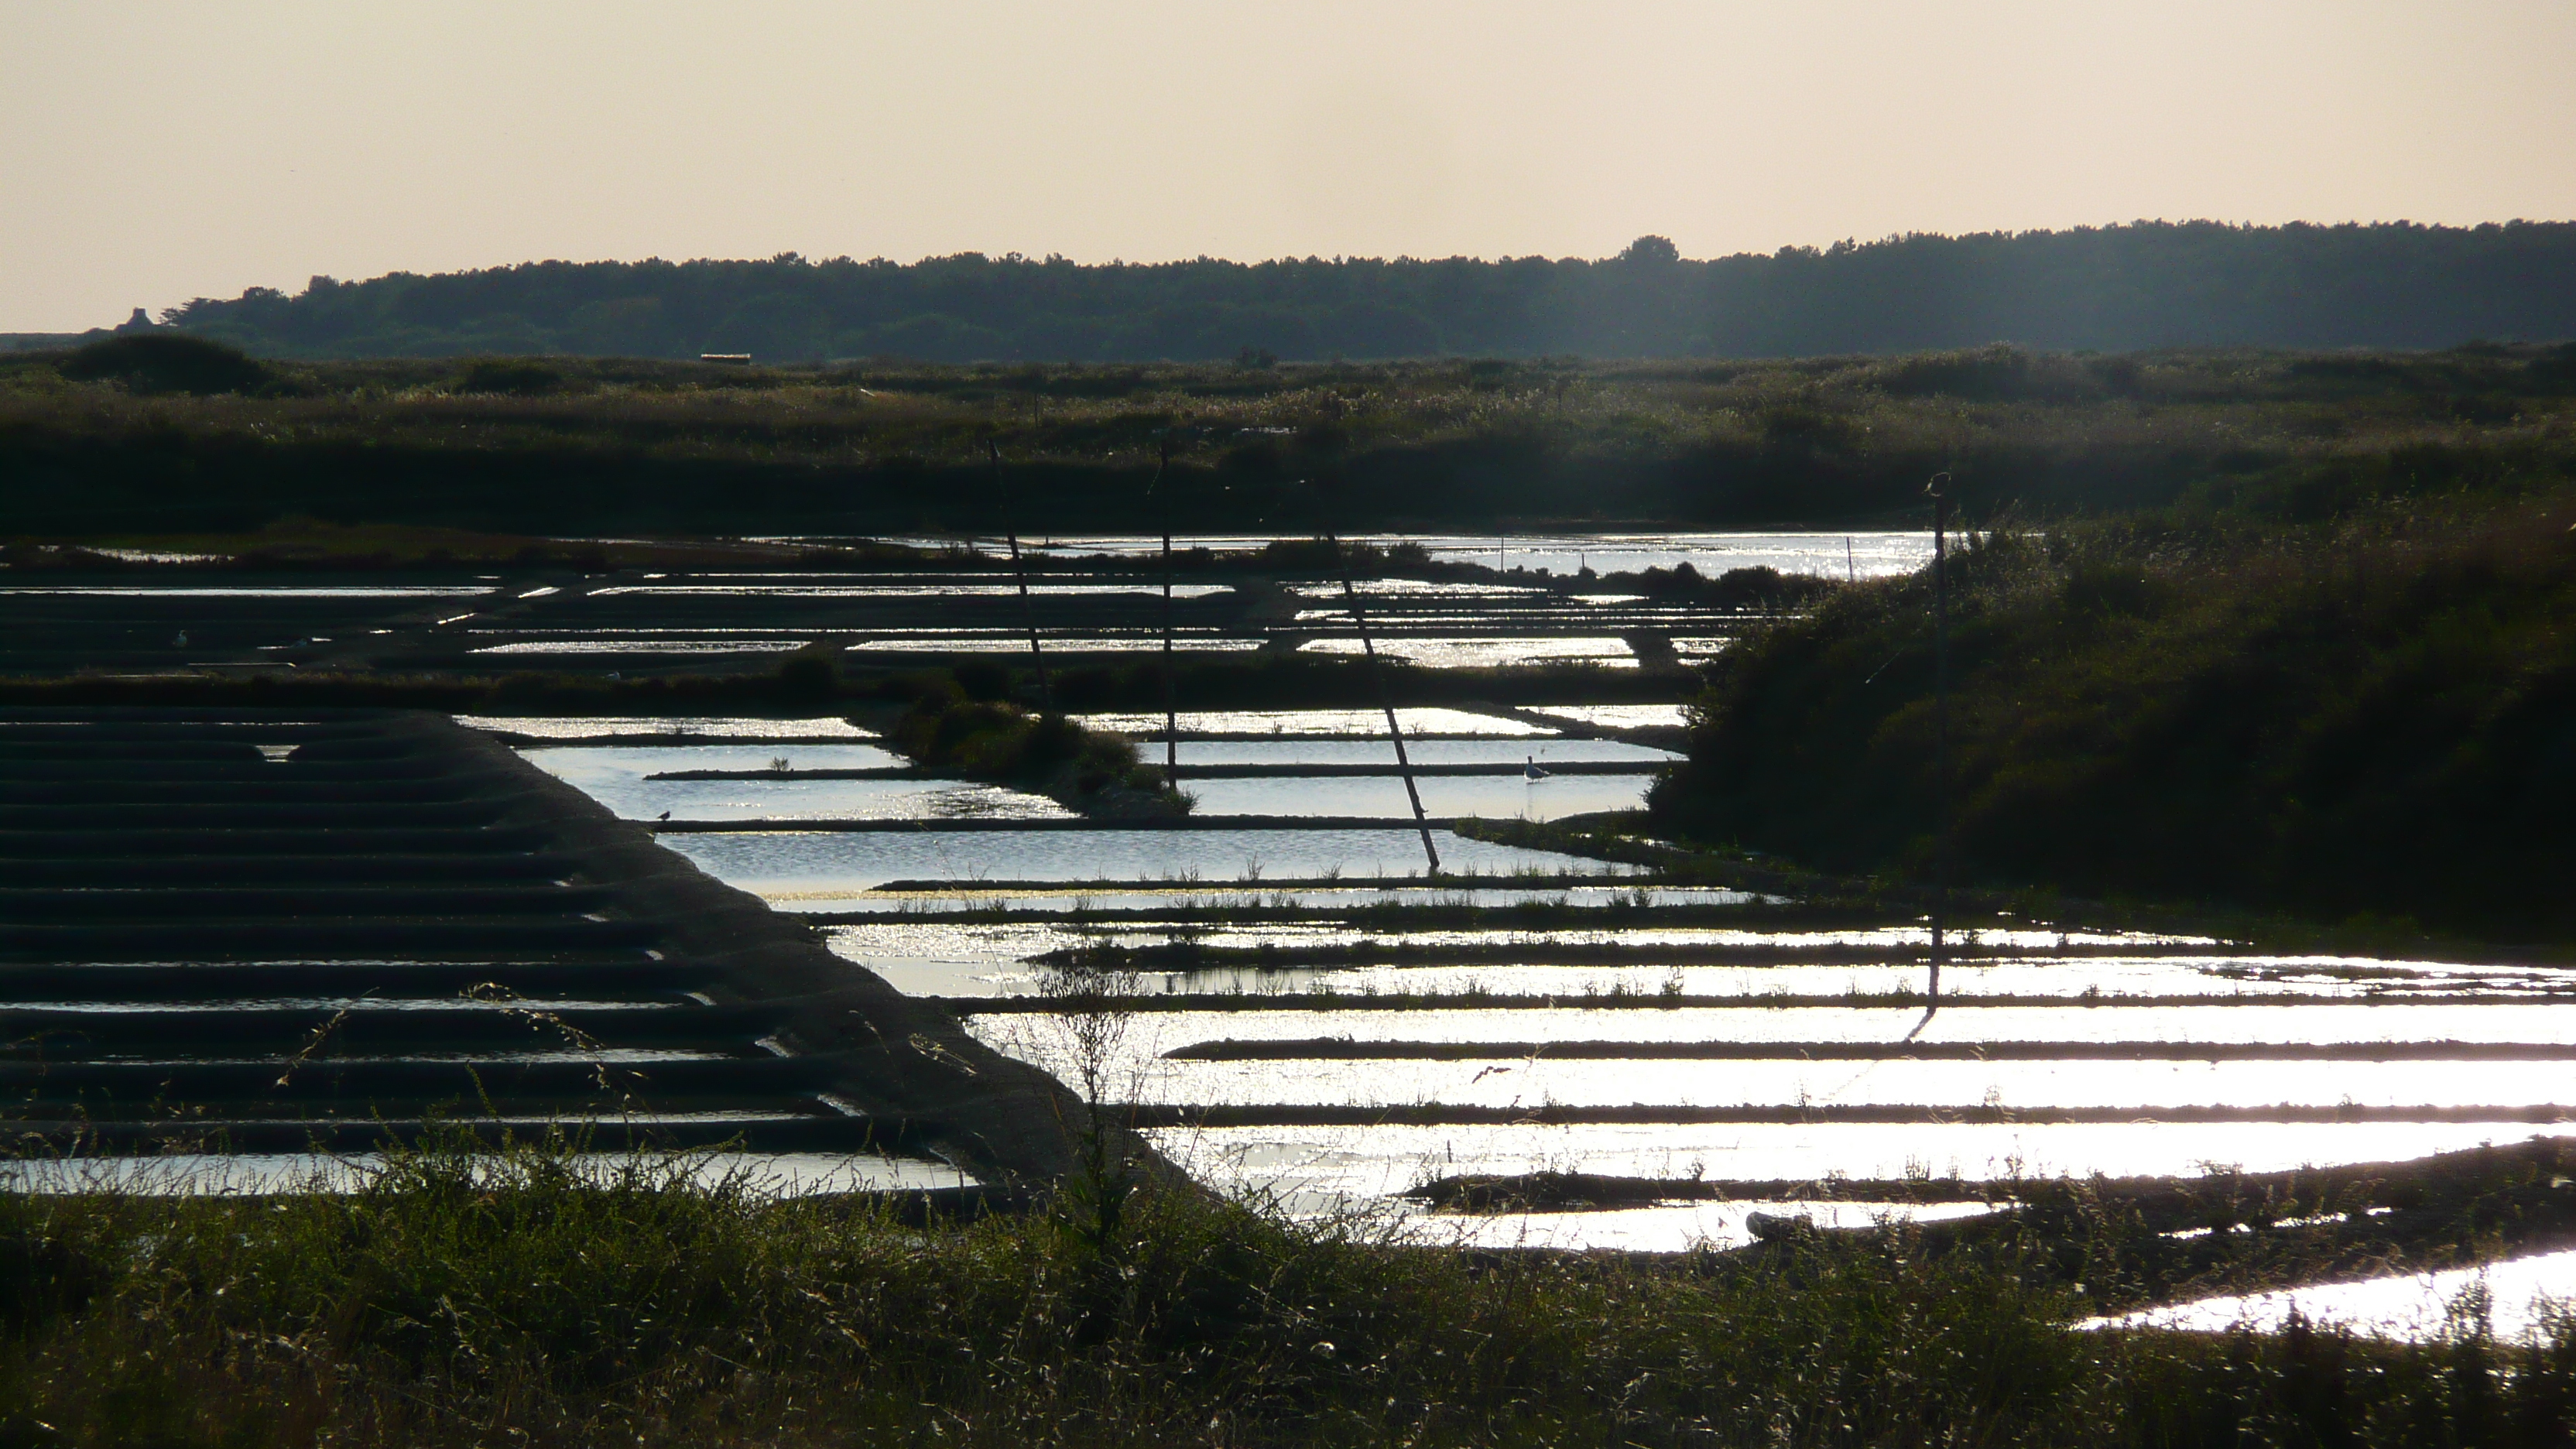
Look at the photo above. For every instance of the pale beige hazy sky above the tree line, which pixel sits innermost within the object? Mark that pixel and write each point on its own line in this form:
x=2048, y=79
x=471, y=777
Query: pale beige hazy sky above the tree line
x=164, y=151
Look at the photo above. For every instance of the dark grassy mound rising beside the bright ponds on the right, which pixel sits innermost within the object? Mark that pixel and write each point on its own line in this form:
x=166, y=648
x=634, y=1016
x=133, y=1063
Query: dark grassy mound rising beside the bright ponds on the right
x=2348, y=718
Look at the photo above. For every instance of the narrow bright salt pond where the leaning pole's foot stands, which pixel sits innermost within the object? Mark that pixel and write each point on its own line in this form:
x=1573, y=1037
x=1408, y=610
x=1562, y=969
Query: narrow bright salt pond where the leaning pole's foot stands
x=864, y=860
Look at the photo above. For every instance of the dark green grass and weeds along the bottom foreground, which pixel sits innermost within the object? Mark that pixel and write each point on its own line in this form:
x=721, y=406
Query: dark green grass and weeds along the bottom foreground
x=524, y=1301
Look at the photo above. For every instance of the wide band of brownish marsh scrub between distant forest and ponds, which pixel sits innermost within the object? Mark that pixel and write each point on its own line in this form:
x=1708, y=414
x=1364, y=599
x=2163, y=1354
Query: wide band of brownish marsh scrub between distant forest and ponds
x=594, y=447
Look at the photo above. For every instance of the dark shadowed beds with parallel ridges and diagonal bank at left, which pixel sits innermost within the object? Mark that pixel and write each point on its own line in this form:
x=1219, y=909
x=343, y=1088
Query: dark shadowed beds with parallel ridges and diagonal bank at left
x=331, y=929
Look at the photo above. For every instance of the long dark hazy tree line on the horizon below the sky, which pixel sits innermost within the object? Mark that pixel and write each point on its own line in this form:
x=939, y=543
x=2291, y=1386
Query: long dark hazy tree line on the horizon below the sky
x=2147, y=285
